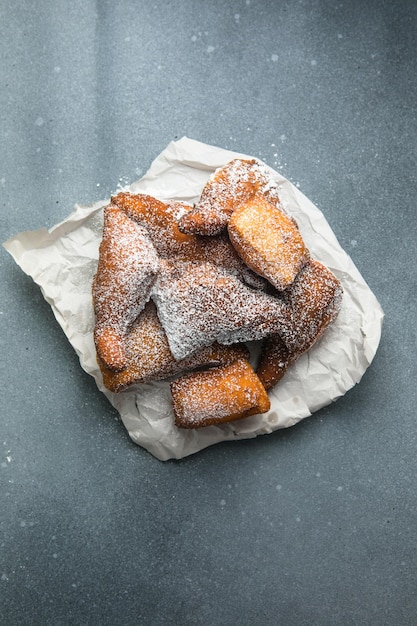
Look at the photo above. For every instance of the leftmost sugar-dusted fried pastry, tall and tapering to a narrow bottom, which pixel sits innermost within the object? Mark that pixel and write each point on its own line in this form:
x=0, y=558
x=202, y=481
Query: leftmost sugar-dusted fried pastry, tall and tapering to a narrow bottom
x=127, y=266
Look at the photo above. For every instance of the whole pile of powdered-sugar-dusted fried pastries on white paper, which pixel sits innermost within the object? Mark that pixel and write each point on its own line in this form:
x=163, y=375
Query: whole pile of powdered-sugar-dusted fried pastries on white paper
x=181, y=290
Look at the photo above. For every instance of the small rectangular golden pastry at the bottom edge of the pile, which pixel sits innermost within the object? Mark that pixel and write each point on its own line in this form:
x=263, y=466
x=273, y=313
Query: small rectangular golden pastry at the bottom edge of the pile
x=218, y=395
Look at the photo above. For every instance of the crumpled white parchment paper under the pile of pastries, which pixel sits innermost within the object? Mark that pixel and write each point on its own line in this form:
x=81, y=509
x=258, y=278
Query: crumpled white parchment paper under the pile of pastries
x=63, y=260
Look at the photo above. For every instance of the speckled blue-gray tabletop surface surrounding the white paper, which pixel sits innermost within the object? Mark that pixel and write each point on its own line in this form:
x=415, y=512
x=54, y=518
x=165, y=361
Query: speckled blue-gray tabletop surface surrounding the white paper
x=314, y=525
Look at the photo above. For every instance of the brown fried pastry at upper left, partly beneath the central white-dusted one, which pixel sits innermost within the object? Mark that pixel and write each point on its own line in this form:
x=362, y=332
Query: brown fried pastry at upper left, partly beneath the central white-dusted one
x=161, y=222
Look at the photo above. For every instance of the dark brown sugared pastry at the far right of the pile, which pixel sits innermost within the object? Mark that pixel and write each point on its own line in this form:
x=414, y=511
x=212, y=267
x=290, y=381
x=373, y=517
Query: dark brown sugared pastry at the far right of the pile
x=315, y=298
